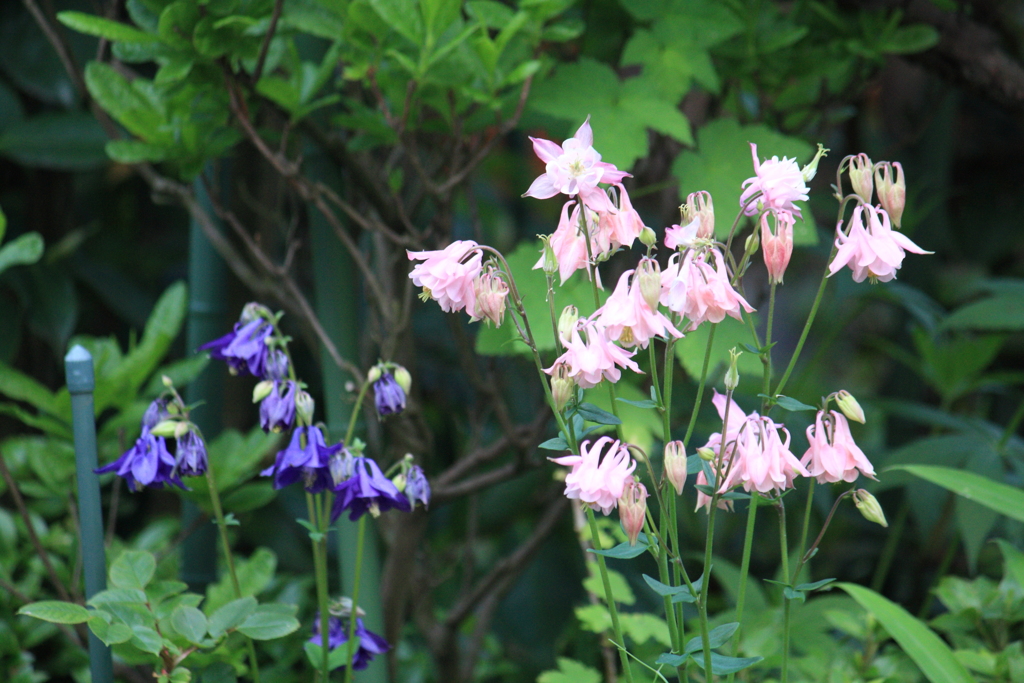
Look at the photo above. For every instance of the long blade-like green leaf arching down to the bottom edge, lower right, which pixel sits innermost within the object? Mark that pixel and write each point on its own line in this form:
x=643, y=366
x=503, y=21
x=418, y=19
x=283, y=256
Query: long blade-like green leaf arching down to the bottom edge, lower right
x=931, y=655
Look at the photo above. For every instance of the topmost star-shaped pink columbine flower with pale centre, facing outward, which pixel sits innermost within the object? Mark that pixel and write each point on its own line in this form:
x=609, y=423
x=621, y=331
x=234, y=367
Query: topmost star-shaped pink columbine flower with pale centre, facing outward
x=575, y=168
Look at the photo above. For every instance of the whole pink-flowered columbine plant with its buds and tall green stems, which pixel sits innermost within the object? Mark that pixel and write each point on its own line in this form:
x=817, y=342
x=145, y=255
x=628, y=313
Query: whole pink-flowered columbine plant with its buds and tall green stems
x=750, y=458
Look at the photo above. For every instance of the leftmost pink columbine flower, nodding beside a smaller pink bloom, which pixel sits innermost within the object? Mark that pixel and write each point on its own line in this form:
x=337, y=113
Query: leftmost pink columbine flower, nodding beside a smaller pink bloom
x=447, y=276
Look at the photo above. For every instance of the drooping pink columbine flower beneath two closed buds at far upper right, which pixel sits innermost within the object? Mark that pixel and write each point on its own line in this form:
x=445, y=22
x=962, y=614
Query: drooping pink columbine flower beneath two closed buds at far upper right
x=873, y=250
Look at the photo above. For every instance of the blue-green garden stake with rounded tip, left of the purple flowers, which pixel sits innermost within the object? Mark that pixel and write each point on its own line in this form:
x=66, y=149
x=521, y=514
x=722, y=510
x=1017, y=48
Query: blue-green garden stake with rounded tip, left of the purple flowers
x=78, y=369
